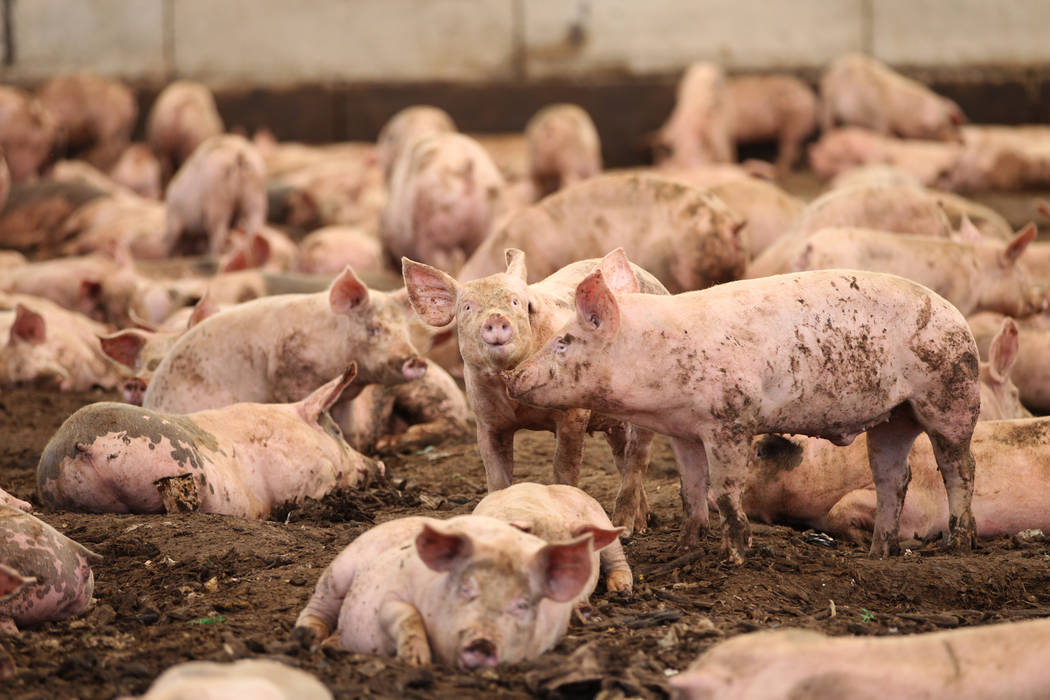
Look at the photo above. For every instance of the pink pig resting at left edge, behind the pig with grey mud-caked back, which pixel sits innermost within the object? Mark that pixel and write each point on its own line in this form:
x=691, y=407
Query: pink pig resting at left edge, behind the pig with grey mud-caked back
x=47, y=346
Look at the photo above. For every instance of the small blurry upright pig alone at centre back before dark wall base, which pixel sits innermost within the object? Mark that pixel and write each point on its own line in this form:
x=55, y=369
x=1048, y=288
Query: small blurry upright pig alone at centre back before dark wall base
x=563, y=147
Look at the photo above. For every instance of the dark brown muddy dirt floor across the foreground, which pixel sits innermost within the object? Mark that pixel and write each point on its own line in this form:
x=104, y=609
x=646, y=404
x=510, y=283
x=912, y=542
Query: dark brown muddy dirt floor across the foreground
x=175, y=588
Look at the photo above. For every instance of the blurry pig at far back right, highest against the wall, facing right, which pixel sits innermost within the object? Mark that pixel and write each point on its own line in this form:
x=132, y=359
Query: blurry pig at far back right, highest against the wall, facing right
x=859, y=91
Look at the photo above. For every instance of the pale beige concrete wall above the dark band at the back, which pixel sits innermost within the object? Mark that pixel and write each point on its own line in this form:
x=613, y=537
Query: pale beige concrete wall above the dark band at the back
x=276, y=44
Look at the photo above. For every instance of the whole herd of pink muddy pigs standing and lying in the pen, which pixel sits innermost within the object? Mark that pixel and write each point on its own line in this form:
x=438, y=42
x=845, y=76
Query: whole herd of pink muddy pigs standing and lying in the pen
x=239, y=293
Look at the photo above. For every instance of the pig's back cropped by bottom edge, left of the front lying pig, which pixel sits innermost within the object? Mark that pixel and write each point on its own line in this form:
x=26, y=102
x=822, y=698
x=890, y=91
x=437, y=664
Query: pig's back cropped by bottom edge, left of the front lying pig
x=262, y=680
